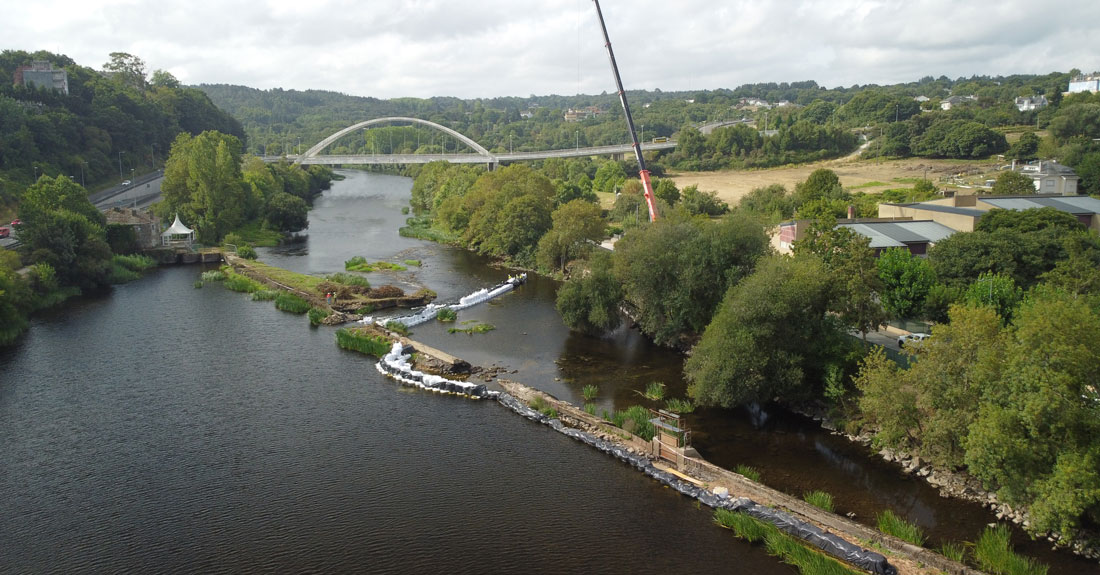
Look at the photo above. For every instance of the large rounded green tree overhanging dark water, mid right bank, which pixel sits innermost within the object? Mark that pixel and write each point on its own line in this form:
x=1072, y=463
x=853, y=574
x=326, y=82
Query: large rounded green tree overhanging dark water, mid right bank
x=771, y=339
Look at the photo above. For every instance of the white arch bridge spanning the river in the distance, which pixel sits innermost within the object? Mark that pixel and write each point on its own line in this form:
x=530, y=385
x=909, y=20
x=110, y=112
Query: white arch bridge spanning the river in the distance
x=481, y=156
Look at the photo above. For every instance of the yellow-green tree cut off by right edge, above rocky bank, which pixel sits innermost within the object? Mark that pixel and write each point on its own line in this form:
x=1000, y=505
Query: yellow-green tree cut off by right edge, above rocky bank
x=1035, y=438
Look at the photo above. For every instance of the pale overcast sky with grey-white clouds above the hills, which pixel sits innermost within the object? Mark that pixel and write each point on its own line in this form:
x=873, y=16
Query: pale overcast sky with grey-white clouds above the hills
x=472, y=49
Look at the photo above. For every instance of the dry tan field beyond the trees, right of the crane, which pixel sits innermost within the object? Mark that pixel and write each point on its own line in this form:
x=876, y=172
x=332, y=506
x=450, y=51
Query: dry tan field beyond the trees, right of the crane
x=856, y=175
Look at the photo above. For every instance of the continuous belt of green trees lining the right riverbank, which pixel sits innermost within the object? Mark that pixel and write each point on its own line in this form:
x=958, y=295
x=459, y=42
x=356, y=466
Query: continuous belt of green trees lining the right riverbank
x=763, y=327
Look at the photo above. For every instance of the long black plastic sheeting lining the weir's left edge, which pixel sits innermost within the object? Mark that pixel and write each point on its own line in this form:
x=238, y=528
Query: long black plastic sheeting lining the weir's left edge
x=828, y=543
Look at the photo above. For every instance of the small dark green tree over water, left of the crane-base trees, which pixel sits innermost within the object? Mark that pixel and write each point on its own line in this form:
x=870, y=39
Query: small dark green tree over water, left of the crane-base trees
x=590, y=302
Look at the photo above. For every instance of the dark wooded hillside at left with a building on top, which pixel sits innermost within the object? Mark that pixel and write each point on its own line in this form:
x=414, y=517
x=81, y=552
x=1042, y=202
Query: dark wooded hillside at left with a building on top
x=107, y=119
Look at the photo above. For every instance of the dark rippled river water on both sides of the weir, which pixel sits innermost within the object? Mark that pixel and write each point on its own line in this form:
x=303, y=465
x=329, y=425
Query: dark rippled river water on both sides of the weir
x=171, y=429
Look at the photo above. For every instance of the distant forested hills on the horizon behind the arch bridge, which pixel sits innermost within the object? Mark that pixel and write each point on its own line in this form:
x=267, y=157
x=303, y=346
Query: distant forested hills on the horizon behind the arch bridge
x=799, y=121
